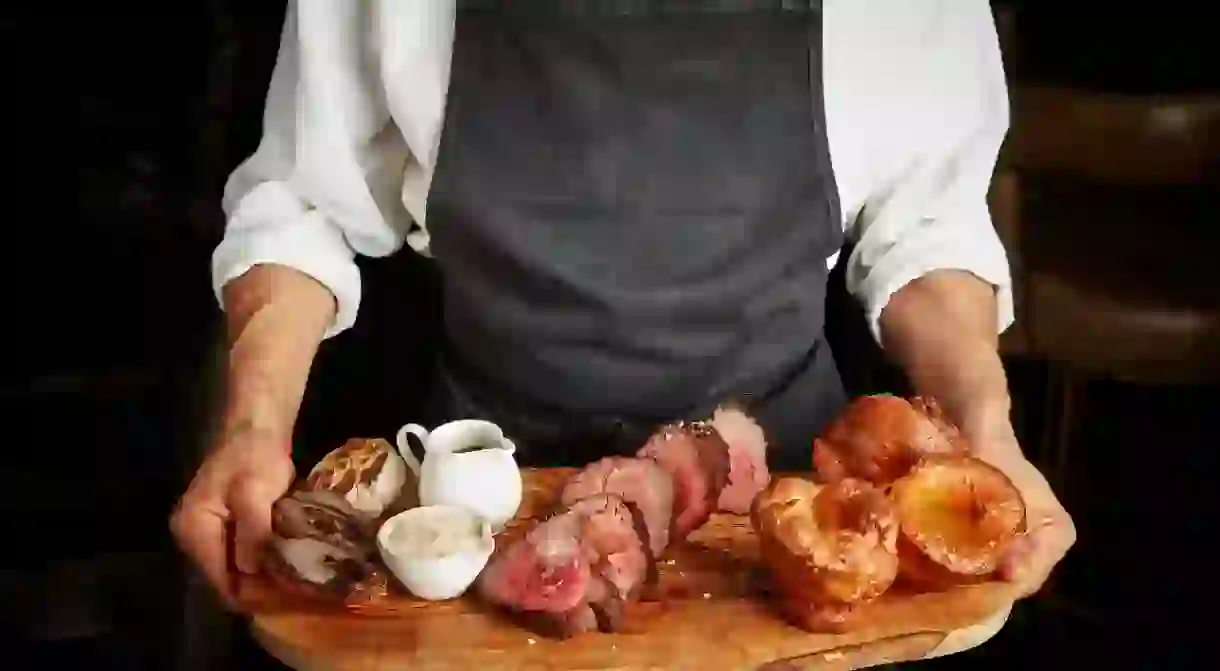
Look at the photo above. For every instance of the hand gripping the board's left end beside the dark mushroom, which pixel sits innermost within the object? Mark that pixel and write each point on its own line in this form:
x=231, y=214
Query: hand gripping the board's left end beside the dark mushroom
x=232, y=495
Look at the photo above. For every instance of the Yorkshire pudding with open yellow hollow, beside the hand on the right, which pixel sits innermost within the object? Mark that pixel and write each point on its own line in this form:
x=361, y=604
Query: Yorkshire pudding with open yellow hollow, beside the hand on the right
x=957, y=518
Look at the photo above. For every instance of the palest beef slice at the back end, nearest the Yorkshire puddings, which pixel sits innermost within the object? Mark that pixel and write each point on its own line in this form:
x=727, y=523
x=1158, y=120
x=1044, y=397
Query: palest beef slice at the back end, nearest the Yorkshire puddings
x=747, y=459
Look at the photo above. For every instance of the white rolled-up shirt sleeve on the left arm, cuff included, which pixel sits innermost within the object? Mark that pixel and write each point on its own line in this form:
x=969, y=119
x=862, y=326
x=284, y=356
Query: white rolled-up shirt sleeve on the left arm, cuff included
x=325, y=181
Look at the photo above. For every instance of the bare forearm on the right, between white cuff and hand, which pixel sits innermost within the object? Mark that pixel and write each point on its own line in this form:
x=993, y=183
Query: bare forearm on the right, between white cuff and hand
x=942, y=331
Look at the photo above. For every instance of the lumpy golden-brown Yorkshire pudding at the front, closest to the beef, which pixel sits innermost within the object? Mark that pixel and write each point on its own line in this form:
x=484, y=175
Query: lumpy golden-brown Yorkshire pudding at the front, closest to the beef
x=829, y=548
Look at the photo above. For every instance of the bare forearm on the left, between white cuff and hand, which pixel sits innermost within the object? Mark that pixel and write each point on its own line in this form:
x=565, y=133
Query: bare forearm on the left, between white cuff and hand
x=276, y=319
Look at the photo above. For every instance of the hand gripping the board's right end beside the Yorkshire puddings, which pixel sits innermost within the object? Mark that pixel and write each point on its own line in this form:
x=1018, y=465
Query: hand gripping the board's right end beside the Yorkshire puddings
x=1050, y=529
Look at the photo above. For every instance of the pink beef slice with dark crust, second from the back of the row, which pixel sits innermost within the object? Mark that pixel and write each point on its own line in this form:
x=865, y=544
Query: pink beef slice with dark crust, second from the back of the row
x=697, y=461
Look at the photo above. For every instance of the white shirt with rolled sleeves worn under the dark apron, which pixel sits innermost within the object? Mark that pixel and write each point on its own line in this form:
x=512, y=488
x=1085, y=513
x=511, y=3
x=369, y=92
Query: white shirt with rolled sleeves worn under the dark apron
x=917, y=109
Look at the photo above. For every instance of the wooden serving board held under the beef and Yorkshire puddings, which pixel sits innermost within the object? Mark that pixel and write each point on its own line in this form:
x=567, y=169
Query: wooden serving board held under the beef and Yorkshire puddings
x=714, y=615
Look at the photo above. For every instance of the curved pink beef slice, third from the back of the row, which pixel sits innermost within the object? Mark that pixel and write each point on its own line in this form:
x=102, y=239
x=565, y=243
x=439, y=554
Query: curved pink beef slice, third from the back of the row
x=641, y=483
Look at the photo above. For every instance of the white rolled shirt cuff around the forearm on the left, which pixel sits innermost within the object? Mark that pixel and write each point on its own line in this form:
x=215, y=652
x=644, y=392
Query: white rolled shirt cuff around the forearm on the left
x=270, y=226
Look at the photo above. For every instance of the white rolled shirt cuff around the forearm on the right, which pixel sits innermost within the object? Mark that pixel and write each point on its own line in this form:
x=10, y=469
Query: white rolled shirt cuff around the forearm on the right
x=936, y=248
